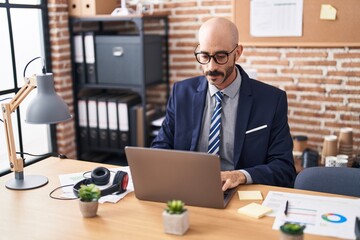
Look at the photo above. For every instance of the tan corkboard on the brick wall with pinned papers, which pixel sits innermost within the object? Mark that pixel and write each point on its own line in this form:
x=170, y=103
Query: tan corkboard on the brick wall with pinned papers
x=344, y=31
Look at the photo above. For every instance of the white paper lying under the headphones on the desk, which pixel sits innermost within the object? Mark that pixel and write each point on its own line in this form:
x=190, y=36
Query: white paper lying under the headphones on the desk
x=73, y=178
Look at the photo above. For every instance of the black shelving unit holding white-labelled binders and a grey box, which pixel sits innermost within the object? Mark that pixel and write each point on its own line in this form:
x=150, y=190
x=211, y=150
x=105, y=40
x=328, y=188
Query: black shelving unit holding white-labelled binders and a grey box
x=115, y=62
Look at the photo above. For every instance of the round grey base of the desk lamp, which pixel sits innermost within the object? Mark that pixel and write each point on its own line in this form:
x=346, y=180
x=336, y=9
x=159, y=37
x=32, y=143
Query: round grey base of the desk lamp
x=29, y=182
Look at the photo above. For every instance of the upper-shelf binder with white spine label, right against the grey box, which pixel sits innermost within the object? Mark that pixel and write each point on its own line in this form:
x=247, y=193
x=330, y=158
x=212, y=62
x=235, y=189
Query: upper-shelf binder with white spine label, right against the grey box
x=90, y=57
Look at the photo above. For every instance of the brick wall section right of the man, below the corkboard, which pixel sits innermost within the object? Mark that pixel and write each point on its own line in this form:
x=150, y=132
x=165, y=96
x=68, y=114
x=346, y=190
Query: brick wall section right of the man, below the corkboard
x=323, y=87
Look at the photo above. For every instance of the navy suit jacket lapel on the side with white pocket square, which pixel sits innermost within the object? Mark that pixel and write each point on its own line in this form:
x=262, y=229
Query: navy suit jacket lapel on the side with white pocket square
x=243, y=114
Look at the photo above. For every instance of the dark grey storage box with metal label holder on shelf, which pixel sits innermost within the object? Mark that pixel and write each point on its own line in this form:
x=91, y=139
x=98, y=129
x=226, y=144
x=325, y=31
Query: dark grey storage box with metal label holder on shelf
x=120, y=56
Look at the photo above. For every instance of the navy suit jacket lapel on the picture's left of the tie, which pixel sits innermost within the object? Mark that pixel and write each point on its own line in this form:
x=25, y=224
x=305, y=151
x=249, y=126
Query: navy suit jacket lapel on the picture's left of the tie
x=198, y=103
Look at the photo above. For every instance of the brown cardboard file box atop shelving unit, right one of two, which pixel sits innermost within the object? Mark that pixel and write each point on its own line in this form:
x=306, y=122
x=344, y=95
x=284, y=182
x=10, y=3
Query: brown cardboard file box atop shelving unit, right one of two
x=95, y=7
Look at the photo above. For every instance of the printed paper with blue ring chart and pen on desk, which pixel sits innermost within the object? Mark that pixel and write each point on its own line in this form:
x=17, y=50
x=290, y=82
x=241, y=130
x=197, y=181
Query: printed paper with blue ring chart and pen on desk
x=326, y=216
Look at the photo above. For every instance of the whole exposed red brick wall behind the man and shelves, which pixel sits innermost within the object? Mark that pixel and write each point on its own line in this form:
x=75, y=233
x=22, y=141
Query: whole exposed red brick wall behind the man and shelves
x=323, y=84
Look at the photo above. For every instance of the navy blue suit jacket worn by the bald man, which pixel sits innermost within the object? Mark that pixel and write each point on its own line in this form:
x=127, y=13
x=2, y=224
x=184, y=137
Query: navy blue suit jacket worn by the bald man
x=265, y=154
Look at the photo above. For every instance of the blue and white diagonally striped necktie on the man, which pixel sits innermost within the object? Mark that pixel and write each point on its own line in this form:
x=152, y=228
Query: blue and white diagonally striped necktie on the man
x=215, y=126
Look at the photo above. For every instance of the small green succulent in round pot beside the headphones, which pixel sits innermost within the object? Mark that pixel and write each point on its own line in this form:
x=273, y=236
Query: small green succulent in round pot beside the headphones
x=88, y=200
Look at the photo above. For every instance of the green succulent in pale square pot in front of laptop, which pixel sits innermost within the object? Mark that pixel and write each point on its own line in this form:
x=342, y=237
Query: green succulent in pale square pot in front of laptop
x=175, y=218
